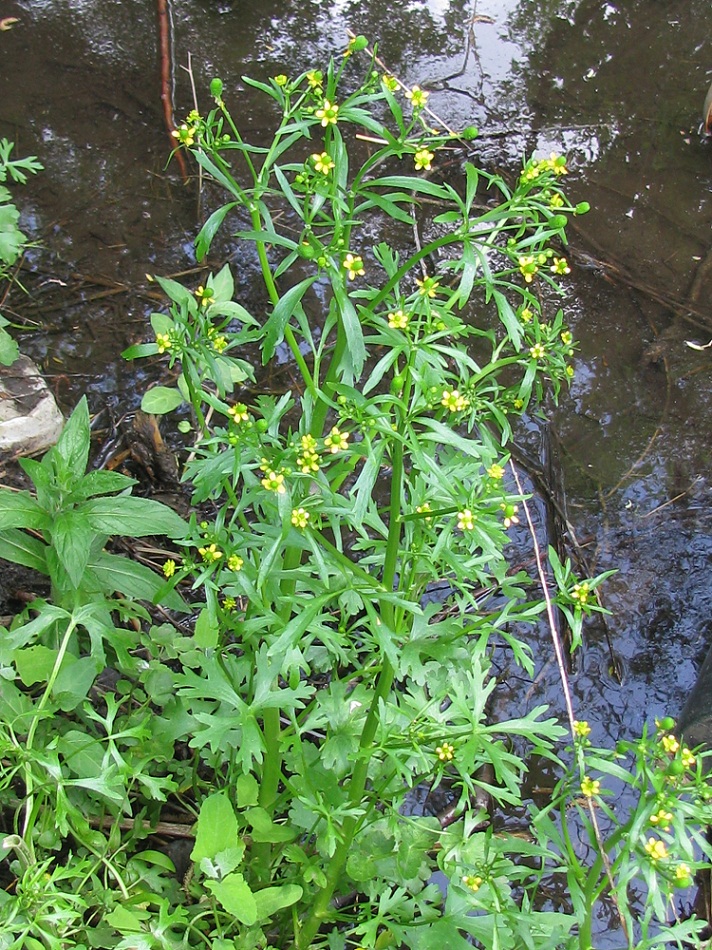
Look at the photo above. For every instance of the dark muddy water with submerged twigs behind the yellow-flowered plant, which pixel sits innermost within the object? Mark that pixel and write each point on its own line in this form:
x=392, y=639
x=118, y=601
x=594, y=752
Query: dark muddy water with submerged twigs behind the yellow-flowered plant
x=618, y=86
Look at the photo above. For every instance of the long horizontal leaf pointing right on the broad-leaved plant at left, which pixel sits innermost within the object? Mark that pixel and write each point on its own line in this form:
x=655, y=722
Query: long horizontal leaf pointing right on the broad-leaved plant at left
x=132, y=517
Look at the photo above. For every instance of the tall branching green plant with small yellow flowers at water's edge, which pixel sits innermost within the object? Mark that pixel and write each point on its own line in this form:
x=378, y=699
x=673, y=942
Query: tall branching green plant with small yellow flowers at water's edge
x=353, y=567
